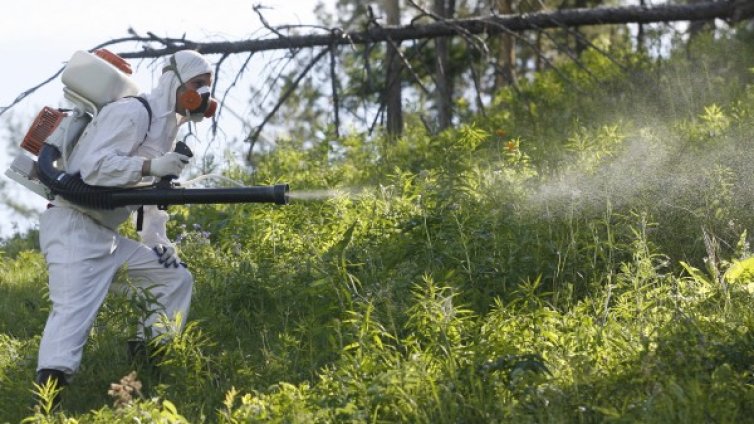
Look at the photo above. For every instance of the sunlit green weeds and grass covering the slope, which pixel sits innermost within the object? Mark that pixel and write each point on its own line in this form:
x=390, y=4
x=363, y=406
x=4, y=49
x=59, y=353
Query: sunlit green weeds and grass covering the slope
x=575, y=255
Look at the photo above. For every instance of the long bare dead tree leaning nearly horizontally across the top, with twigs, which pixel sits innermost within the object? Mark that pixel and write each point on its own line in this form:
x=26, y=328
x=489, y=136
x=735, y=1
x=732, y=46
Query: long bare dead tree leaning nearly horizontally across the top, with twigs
x=154, y=46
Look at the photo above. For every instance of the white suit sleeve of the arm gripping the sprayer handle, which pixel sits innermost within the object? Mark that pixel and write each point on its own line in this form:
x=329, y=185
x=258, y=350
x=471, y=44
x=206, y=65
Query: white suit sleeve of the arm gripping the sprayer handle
x=105, y=153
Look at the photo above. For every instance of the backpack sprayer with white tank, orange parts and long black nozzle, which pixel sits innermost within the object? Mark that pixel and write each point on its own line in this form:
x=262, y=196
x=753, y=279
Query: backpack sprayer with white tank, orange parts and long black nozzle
x=90, y=82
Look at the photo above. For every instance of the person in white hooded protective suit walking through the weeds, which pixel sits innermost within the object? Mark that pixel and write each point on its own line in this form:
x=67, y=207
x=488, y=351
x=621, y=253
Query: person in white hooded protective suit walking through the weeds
x=82, y=246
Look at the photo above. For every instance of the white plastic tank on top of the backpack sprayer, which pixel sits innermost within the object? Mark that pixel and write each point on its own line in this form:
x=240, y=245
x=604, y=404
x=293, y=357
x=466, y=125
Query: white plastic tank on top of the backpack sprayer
x=97, y=80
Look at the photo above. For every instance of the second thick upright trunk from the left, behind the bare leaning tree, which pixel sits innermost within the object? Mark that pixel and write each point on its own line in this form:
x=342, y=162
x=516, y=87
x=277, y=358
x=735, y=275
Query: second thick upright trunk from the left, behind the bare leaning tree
x=445, y=10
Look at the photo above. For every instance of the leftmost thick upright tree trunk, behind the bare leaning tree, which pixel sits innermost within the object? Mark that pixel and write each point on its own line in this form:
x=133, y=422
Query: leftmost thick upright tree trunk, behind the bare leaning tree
x=393, y=101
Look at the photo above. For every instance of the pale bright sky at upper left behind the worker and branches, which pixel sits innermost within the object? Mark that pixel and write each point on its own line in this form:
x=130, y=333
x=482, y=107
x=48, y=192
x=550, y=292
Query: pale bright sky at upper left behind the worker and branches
x=37, y=37
